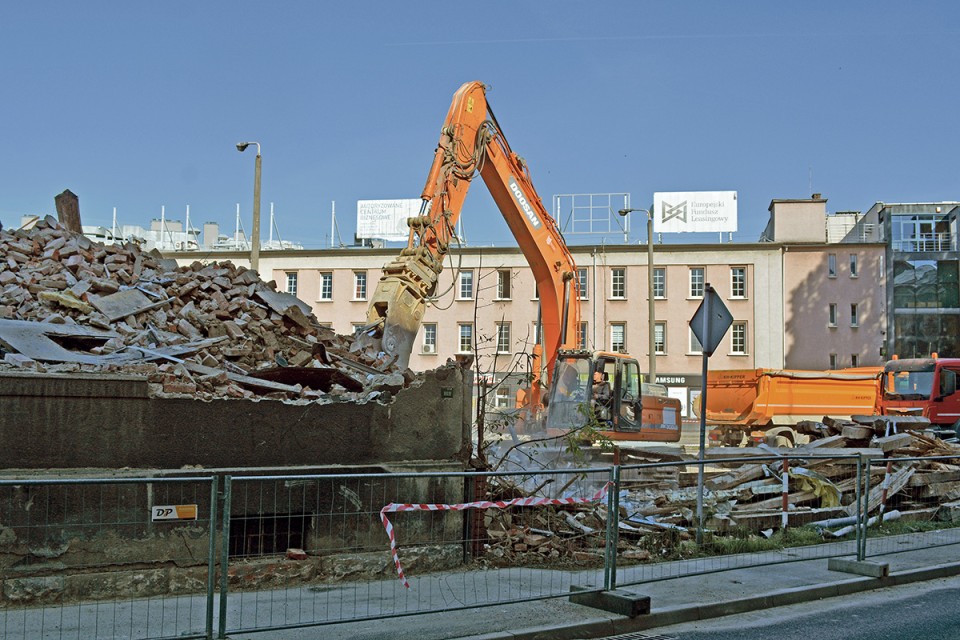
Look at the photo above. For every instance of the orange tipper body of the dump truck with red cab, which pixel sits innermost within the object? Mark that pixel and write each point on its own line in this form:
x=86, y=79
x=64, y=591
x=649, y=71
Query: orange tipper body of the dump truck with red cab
x=762, y=402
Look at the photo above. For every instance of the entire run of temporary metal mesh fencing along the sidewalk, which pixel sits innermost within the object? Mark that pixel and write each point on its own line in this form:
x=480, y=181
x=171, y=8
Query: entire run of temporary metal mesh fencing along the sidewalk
x=101, y=557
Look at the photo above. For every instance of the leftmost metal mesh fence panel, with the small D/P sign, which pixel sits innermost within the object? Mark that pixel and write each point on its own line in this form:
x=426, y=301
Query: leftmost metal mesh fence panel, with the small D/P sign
x=107, y=558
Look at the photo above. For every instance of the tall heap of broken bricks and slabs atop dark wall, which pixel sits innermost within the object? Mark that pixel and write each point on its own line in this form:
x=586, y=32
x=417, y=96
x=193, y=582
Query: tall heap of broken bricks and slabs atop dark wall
x=211, y=330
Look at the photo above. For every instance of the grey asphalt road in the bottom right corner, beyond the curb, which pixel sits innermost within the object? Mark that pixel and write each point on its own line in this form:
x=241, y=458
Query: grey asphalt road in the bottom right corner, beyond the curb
x=920, y=611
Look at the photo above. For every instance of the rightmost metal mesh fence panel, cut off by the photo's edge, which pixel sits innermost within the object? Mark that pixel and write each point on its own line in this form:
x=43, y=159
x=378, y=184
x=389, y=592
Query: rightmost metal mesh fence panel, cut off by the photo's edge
x=908, y=496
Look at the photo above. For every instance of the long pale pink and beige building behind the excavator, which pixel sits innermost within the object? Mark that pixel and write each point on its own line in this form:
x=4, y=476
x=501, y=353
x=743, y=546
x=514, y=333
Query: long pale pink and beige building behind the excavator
x=797, y=300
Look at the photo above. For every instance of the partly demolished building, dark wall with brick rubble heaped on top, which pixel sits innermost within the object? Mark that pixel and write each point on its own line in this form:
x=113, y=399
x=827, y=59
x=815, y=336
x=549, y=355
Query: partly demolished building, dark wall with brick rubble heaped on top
x=113, y=357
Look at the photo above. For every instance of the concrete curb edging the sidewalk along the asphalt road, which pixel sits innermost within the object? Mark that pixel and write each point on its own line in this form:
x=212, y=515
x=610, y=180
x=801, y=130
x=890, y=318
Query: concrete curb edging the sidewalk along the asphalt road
x=689, y=613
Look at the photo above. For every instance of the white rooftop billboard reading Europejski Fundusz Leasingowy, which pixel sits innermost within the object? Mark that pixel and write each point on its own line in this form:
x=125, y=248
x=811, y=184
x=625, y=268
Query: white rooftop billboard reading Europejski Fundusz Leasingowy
x=697, y=211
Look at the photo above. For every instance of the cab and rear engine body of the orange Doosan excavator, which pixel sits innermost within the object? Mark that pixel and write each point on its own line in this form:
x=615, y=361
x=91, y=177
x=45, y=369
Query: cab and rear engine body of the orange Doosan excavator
x=607, y=390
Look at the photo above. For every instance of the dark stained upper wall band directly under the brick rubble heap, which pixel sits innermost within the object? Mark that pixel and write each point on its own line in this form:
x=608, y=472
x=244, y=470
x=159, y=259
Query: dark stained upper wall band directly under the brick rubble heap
x=111, y=421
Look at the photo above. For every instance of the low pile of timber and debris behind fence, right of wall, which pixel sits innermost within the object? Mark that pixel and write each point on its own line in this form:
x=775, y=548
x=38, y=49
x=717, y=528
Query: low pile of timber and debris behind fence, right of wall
x=744, y=491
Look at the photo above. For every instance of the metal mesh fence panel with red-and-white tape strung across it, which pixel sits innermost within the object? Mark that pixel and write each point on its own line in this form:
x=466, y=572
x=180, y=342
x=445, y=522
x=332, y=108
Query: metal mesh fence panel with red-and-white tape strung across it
x=322, y=549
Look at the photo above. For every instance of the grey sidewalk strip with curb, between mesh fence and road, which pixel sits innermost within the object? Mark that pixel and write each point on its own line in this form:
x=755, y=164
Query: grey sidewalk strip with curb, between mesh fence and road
x=673, y=601
